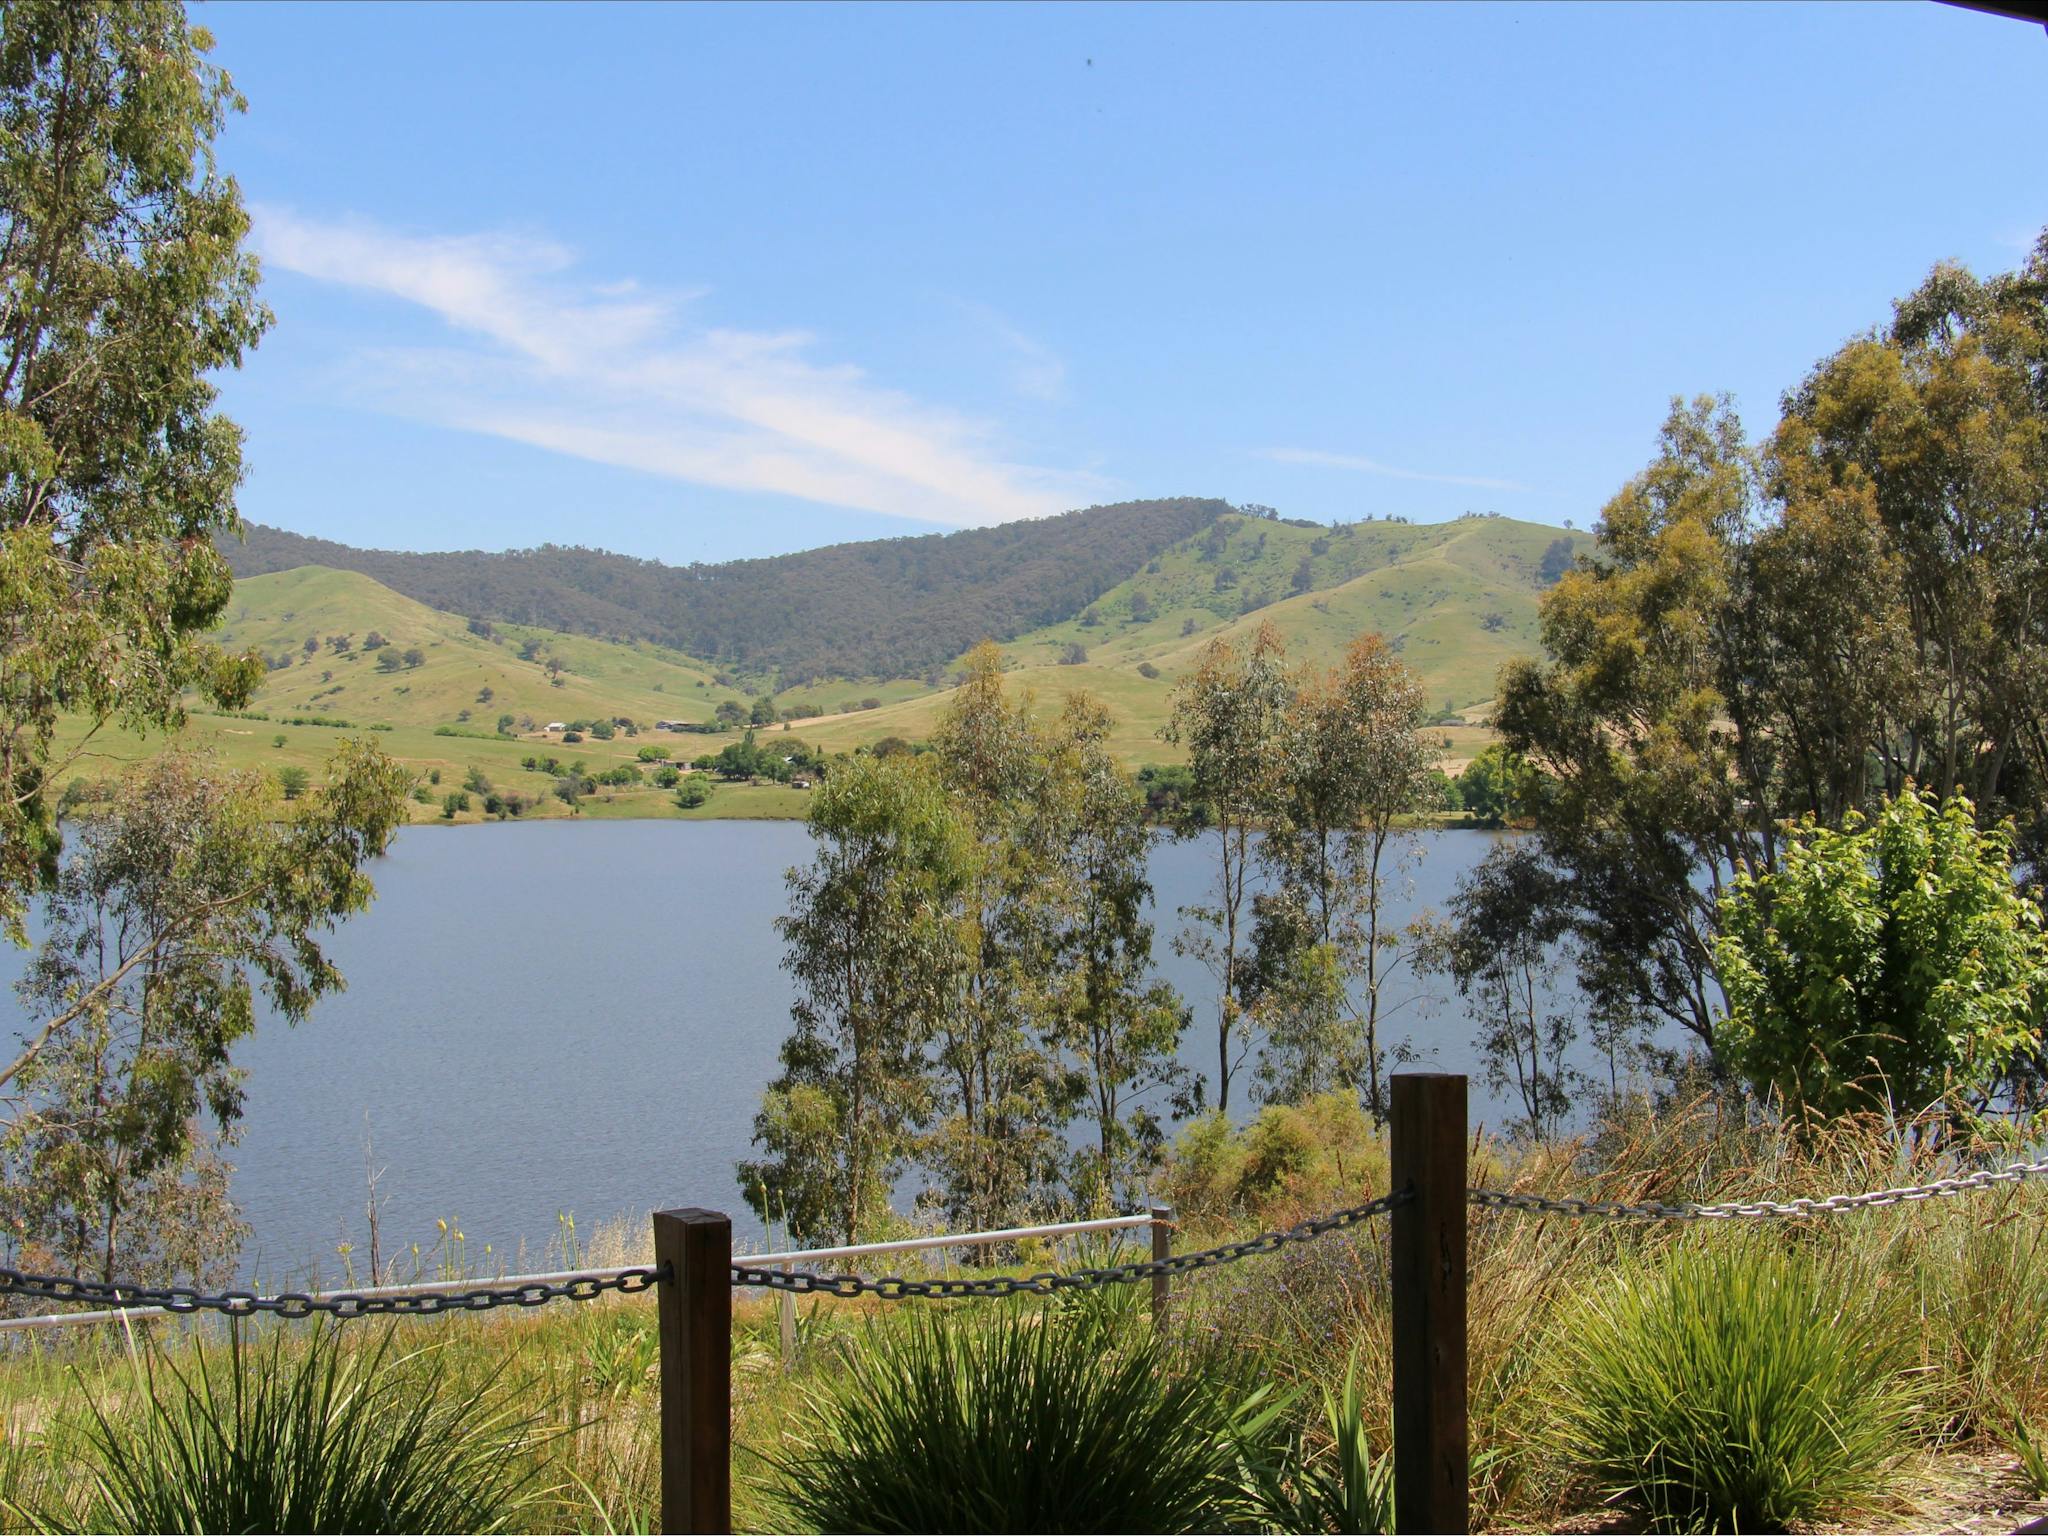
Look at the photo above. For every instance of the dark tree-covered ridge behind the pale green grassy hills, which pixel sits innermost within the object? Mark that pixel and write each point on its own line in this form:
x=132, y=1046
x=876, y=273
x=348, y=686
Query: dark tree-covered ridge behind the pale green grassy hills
x=884, y=609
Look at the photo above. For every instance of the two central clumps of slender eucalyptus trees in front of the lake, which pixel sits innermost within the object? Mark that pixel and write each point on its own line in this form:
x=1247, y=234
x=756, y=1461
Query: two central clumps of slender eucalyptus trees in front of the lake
x=974, y=959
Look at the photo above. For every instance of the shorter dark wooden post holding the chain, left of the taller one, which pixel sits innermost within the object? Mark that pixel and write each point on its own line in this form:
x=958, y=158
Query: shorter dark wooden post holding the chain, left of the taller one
x=697, y=1369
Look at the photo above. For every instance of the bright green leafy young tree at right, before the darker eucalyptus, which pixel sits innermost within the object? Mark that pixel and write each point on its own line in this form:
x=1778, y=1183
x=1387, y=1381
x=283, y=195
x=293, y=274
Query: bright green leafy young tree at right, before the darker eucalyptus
x=1883, y=966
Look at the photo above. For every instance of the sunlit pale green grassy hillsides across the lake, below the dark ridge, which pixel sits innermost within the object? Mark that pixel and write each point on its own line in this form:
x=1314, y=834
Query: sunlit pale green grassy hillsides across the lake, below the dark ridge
x=1457, y=599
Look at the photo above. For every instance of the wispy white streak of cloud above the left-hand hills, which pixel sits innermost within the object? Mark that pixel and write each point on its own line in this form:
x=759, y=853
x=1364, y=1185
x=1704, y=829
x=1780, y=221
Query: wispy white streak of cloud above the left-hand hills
x=628, y=378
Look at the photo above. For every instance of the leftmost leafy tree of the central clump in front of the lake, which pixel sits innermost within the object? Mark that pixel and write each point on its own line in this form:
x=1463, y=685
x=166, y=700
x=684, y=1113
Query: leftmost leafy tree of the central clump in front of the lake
x=871, y=943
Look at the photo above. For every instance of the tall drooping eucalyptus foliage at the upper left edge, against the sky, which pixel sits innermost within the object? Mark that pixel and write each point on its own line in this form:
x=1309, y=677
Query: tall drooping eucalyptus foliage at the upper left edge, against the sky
x=126, y=294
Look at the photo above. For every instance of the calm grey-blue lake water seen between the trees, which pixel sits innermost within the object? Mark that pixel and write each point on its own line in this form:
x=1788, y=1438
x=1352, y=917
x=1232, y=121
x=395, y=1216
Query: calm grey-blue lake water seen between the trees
x=581, y=1019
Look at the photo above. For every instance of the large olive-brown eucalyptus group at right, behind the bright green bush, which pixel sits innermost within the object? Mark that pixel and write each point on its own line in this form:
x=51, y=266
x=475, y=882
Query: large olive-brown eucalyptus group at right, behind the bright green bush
x=1799, y=630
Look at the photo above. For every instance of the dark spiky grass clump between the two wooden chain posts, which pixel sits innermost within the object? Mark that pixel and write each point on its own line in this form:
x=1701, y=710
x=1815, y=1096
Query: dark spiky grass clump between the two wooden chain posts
x=1019, y=1422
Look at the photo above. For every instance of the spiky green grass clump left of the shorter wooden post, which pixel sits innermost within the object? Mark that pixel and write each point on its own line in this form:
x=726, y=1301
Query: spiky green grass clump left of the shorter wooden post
x=318, y=1437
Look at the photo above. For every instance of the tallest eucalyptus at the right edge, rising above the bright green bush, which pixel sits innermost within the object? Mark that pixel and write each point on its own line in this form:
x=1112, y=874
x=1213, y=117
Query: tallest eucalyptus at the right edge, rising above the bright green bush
x=1926, y=443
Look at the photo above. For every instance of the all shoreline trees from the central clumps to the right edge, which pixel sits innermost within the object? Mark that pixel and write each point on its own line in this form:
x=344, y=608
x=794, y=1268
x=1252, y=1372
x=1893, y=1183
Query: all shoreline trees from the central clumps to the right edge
x=1783, y=765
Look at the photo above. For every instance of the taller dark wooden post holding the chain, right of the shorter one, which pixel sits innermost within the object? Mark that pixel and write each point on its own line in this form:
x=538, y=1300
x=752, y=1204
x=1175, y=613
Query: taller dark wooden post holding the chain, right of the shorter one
x=1433, y=1461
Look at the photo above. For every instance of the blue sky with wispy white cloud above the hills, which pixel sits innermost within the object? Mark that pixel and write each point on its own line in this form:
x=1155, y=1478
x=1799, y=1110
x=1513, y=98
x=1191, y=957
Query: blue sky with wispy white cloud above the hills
x=720, y=282
